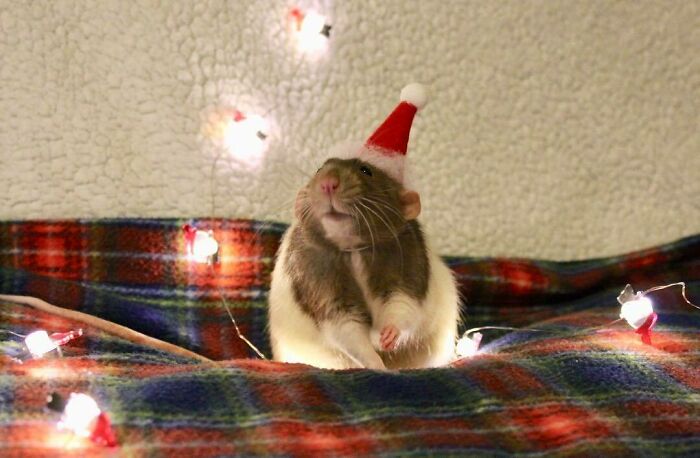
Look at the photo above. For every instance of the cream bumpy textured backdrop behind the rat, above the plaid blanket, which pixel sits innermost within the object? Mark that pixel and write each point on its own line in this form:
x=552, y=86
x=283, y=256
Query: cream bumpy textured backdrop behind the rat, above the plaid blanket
x=555, y=129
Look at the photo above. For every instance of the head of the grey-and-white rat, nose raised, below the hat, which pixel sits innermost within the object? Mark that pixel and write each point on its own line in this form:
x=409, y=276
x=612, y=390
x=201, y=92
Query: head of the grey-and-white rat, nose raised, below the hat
x=353, y=203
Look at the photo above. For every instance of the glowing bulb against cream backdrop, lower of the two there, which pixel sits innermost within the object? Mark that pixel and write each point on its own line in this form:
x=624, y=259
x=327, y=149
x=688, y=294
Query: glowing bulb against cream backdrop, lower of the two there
x=245, y=138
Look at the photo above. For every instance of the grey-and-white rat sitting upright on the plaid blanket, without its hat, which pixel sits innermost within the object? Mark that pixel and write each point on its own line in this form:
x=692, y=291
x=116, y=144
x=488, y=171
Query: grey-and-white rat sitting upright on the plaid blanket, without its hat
x=356, y=284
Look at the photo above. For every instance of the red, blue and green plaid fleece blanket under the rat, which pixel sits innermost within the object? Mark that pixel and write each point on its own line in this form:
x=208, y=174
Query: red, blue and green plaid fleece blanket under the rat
x=568, y=391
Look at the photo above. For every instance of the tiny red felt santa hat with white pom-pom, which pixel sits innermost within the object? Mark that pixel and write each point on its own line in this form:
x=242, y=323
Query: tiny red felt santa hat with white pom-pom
x=386, y=147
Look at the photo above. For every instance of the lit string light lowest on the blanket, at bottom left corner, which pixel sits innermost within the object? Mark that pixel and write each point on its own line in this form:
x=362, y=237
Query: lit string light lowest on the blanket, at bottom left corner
x=81, y=416
